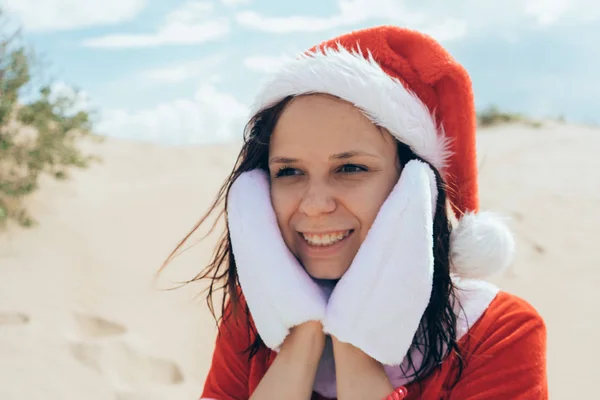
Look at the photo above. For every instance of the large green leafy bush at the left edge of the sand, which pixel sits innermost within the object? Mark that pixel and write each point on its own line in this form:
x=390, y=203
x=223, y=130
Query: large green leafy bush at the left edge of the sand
x=37, y=136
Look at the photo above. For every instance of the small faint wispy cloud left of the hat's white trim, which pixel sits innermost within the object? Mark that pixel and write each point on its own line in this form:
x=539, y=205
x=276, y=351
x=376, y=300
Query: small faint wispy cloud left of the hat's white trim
x=184, y=71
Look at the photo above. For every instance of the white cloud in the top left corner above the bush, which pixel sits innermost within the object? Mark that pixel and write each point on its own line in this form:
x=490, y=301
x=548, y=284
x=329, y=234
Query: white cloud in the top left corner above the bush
x=56, y=15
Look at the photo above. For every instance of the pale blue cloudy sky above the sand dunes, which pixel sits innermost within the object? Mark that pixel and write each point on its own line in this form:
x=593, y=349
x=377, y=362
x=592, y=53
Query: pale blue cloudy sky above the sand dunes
x=186, y=71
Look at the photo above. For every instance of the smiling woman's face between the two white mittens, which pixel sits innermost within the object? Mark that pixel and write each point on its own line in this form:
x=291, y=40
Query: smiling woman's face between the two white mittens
x=331, y=169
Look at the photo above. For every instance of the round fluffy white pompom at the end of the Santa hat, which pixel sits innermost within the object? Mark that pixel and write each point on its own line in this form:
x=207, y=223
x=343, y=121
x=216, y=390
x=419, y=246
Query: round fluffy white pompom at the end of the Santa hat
x=481, y=246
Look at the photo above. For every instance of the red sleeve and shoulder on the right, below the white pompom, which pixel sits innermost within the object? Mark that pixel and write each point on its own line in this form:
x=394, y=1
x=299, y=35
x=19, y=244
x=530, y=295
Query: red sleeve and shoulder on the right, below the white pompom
x=508, y=360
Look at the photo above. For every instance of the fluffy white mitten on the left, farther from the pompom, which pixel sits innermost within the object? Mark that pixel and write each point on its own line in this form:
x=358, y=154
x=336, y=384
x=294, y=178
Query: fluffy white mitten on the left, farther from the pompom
x=279, y=292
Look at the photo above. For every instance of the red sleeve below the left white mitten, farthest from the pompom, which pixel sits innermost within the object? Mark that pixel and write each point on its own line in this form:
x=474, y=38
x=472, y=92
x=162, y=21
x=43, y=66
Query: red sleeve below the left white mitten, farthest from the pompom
x=228, y=376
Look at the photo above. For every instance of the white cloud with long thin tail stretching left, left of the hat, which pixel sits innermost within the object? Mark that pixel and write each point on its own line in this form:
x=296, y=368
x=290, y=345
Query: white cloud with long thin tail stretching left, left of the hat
x=192, y=22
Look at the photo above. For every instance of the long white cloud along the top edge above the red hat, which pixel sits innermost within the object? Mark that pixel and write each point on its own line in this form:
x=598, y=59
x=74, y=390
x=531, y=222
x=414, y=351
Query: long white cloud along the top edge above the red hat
x=444, y=20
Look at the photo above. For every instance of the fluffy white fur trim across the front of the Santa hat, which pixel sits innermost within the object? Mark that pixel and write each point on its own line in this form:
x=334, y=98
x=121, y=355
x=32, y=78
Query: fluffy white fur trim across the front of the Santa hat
x=362, y=82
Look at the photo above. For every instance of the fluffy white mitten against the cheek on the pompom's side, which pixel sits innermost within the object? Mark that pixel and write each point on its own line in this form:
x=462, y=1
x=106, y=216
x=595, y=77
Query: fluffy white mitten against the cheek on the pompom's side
x=378, y=303
